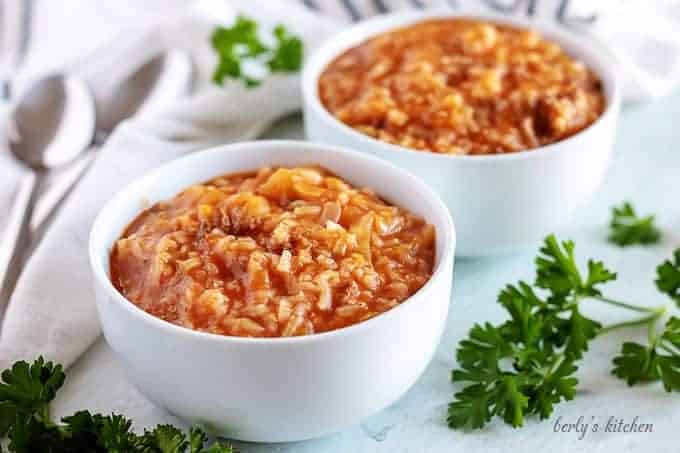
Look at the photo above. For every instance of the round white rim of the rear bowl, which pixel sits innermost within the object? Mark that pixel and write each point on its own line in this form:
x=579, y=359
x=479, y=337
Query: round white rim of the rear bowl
x=334, y=46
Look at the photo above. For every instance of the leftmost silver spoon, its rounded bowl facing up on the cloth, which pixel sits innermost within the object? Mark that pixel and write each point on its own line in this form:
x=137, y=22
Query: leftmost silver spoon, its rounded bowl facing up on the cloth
x=52, y=122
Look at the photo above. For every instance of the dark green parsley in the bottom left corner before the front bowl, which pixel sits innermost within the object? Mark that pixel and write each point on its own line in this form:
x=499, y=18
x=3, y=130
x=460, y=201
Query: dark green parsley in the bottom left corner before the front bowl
x=25, y=424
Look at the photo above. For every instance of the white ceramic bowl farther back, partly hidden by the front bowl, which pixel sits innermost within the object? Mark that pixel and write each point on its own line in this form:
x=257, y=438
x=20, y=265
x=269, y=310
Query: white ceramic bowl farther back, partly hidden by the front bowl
x=503, y=201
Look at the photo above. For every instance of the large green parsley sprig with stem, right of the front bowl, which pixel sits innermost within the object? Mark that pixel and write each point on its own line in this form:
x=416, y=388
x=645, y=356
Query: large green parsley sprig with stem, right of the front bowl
x=527, y=364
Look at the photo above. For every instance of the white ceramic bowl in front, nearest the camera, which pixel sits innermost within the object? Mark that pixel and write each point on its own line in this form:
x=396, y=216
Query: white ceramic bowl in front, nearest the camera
x=280, y=389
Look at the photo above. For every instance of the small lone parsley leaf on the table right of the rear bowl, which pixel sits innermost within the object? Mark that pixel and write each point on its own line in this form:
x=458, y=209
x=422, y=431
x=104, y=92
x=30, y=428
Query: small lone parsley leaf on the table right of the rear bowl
x=626, y=228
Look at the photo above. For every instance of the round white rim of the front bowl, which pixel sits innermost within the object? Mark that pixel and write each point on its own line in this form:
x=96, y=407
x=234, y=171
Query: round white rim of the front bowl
x=101, y=277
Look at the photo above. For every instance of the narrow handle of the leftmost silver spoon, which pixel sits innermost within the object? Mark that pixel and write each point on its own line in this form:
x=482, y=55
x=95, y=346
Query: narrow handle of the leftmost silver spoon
x=15, y=232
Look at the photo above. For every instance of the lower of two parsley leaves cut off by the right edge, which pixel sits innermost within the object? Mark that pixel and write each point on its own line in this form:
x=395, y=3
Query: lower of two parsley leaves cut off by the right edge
x=658, y=361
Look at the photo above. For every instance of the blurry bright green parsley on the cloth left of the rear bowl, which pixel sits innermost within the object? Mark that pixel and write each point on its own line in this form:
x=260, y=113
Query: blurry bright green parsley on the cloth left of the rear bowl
x=240, y=45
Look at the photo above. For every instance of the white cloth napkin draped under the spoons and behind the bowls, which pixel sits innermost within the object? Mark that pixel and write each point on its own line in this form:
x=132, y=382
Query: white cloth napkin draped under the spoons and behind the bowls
x=52, y=310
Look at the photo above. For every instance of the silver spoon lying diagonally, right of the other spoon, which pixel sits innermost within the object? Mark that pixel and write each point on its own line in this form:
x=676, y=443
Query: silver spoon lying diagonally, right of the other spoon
x=154, y=85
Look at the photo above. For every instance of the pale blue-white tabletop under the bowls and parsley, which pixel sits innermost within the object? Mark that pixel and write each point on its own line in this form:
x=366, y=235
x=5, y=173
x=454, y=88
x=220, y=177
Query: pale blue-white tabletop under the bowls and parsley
x=646, y=170
